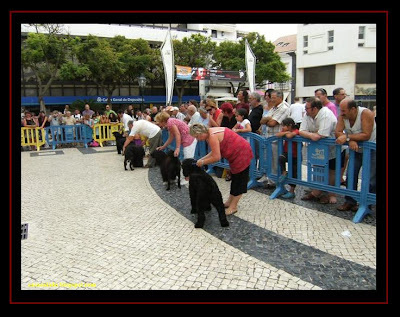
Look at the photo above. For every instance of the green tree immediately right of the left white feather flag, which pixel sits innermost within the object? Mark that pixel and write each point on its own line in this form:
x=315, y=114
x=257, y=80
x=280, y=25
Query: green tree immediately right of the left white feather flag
x=195, y=51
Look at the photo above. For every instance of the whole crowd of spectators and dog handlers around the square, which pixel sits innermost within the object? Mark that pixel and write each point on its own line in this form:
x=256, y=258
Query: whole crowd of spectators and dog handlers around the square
x=314, y=119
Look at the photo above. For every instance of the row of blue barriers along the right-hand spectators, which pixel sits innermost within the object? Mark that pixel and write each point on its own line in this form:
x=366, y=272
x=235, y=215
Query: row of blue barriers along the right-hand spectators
x=265, y=150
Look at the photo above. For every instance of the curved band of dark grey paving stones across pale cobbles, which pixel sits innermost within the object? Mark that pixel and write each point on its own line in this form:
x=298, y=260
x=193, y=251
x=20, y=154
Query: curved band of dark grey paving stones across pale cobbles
x=310, y=264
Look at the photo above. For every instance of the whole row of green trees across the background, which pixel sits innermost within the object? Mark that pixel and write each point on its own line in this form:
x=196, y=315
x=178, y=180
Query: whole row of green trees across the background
x=111, y=62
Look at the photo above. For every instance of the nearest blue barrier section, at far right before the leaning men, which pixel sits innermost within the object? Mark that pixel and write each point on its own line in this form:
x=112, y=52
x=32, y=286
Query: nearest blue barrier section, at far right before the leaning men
x=317, y=163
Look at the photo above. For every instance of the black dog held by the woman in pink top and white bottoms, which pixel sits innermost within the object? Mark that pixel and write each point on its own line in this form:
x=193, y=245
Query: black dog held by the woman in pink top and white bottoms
x=170, y=166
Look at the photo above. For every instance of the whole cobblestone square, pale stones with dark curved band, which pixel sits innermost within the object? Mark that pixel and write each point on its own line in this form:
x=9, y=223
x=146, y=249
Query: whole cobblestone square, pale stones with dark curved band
x=95, y=226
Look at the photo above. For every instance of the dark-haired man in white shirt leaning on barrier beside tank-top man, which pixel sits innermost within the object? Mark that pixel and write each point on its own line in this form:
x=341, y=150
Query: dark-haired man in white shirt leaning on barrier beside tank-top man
x=320, y=122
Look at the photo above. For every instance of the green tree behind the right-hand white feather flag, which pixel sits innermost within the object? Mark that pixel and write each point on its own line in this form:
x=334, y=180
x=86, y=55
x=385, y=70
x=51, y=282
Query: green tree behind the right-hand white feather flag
x=231, y=56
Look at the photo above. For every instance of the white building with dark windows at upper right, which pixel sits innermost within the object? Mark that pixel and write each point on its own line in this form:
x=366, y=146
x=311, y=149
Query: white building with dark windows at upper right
x=337, y=55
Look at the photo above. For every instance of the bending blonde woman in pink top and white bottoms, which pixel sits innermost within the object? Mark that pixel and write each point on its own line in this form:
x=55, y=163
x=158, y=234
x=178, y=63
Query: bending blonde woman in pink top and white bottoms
x=179, y=131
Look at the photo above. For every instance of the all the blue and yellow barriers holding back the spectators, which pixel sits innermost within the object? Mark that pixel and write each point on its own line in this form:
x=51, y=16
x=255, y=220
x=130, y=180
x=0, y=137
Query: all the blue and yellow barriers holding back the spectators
x=265, y=151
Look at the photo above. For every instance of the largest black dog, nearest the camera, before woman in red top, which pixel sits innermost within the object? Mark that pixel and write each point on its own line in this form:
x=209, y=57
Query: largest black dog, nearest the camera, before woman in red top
x=203, y=192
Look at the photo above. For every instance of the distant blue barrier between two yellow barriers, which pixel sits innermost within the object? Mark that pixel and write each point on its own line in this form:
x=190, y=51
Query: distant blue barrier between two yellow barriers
x=64, y=134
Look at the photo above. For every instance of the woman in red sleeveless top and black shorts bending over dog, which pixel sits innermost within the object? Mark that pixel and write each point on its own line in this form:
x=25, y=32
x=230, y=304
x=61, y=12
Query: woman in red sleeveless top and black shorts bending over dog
x=229, y=145
